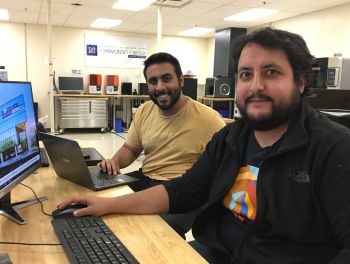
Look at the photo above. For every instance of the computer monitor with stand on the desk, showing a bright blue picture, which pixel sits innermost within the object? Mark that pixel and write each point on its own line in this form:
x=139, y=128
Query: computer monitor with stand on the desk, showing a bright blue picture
x=19, y=150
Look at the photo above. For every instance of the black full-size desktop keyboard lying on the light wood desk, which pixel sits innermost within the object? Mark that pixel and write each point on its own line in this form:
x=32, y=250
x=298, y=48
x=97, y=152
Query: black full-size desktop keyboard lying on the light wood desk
x=89, y=240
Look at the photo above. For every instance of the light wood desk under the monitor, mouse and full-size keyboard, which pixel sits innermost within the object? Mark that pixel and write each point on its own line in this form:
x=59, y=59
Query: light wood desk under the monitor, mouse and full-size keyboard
x=148, y=237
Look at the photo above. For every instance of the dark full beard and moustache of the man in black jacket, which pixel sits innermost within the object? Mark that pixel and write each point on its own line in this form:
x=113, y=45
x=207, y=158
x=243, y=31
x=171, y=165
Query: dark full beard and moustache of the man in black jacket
x=280, y=113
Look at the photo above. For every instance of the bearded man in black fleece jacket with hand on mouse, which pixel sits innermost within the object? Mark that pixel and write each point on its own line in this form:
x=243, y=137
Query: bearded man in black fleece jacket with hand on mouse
x=274, y=185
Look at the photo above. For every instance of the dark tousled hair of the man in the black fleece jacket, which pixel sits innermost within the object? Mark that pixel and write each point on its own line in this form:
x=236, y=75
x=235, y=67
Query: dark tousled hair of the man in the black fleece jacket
x=293, y=45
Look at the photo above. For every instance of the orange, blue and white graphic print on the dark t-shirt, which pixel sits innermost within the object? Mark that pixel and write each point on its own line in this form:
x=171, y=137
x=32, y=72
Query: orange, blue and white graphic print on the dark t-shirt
x=241, y=198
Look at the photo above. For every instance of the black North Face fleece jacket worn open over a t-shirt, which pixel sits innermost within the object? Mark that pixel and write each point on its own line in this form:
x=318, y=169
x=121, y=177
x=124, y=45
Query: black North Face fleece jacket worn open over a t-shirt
x=303, y=193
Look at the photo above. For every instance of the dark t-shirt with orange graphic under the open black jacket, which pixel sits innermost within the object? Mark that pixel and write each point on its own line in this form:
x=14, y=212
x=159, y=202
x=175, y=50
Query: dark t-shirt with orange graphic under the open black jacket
x=240, y=201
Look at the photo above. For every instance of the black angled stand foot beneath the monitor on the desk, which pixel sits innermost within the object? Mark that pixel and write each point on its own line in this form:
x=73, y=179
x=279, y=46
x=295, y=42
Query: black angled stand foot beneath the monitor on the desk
x=9, y=209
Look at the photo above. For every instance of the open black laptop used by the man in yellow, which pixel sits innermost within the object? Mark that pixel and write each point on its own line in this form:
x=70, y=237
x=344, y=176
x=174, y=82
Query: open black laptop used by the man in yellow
x=68, y=162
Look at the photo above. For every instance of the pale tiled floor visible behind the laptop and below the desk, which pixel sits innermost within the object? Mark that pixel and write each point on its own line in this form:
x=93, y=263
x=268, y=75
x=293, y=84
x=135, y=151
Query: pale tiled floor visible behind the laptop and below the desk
x=107, y=144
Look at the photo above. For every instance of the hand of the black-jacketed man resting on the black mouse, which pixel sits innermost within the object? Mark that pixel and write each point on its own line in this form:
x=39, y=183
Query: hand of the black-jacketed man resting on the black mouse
x=95, y=206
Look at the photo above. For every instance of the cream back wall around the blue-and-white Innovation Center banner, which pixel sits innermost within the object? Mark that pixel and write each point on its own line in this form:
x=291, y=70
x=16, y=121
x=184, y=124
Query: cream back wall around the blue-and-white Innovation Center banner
x=27, y=44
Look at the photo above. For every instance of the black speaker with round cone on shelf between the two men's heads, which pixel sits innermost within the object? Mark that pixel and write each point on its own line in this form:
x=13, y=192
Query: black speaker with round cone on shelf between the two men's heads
x=219, y=87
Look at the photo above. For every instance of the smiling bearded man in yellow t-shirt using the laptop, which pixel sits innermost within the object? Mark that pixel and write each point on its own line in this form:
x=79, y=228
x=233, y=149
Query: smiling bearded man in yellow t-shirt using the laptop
x=172, y=130
